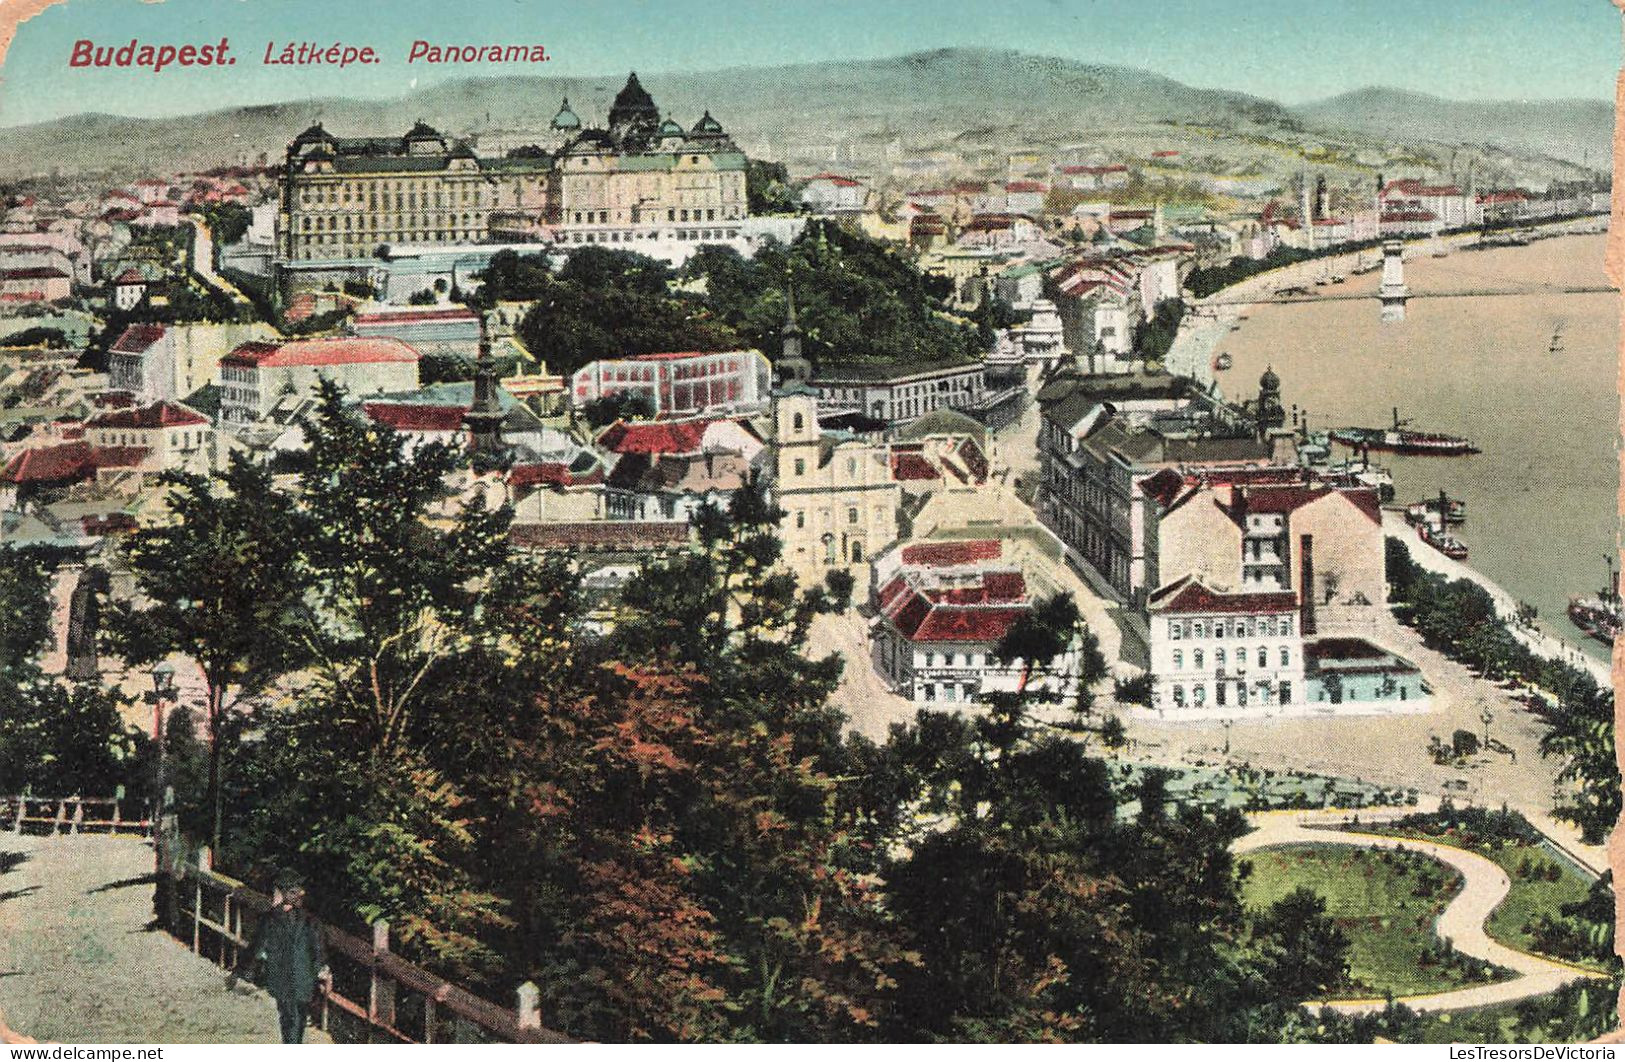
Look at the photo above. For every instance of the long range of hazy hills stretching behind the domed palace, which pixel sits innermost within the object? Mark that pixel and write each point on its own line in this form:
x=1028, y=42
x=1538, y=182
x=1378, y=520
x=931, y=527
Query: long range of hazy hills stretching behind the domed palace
x=953, y=100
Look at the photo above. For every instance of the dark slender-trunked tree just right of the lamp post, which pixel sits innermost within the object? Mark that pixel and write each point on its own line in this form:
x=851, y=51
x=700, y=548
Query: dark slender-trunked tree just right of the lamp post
x=217, y=585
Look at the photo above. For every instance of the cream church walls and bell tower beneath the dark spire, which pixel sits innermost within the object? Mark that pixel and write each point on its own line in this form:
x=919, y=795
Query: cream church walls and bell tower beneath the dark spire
x=838, y=493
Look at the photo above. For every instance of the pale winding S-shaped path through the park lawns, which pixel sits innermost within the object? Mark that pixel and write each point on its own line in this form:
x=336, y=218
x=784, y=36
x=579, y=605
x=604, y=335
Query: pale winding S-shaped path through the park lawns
x=1484, y=887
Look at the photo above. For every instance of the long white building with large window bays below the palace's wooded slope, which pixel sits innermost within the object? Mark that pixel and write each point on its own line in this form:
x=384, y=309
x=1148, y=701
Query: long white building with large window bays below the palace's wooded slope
x=682, y=384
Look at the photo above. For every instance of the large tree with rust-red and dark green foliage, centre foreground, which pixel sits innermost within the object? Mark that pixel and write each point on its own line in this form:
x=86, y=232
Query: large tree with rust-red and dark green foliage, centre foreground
x=704, y=874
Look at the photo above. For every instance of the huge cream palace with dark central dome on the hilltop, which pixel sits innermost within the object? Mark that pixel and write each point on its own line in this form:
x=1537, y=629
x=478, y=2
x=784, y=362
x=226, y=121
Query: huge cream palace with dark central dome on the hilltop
x=643, y=178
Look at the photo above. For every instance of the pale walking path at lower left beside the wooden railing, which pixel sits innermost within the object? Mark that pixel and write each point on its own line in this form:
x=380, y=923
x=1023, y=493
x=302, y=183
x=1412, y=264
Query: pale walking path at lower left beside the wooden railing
x=80, y=961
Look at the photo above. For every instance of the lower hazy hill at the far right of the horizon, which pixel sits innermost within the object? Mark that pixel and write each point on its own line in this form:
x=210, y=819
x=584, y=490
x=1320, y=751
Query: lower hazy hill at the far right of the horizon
x=1575, y=131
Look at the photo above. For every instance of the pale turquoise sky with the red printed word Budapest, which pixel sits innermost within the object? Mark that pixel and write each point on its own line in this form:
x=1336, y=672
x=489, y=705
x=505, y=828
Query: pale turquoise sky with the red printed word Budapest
x=1285, y=51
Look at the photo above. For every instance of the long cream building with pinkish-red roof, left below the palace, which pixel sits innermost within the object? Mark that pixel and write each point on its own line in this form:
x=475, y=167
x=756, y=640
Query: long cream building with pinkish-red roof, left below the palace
x=258, y=378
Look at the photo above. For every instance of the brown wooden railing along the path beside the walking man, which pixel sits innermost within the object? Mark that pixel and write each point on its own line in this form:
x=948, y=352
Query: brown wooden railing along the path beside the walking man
x=376, y=996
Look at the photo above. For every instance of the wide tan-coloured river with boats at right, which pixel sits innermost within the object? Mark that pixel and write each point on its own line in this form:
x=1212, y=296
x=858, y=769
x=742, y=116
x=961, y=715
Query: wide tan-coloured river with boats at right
x=1530, y=378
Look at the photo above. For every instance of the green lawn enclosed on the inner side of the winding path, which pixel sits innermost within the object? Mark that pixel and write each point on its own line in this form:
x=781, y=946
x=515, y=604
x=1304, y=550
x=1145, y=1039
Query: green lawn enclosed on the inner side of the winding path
x=1385, y=904
